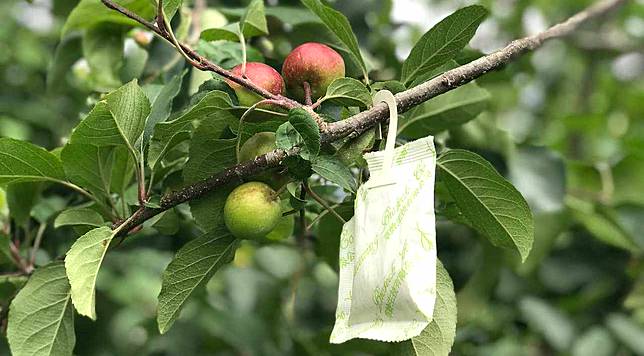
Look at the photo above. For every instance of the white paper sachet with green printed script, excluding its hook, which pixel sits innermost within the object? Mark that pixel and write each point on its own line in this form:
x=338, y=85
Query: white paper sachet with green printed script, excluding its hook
x=388, y=257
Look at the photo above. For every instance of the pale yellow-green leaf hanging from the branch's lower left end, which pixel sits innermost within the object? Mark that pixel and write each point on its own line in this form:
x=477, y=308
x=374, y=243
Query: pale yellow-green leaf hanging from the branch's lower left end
x=82, y=263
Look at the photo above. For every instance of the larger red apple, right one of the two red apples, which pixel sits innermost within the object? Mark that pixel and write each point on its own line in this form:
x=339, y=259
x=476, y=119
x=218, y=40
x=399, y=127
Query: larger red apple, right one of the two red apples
x=314, y=63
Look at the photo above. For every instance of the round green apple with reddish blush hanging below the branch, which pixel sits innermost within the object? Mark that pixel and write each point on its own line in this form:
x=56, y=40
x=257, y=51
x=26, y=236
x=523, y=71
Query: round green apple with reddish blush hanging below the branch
x=252, y=210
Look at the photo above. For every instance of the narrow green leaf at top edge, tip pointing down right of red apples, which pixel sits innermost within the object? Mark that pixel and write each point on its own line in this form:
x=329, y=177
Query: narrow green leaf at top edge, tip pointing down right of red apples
x=337, y=23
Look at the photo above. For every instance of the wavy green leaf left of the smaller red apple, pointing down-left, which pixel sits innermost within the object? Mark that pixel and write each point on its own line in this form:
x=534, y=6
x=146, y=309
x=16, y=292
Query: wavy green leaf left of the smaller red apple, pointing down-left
x=212, y=108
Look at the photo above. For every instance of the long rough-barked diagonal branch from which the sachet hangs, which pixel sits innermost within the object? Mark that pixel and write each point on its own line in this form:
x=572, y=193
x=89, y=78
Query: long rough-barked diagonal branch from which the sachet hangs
x=361, y=122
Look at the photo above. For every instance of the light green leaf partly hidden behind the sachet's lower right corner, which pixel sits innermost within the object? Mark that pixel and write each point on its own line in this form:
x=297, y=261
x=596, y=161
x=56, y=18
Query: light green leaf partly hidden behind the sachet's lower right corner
x=438, y=337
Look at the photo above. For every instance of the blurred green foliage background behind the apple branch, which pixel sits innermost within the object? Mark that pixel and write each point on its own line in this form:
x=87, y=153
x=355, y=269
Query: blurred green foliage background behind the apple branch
x=565, y=125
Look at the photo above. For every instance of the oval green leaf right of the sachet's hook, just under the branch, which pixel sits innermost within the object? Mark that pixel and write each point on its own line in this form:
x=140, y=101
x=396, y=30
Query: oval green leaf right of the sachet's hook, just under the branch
x=444, y=112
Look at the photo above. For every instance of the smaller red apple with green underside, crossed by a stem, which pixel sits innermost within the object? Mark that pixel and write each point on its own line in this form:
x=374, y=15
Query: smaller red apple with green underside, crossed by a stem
x=262, y=75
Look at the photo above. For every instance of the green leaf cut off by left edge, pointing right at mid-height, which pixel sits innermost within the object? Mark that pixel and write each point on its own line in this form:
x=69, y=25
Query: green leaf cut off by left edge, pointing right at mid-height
x=24, y=162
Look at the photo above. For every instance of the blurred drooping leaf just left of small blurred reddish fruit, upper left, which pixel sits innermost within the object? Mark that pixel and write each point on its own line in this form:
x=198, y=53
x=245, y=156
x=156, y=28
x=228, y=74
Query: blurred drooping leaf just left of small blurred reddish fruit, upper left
x=103, y=50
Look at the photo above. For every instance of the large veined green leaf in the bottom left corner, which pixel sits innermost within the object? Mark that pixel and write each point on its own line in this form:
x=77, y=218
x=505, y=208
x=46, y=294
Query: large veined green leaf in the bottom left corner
x=41, y=318
